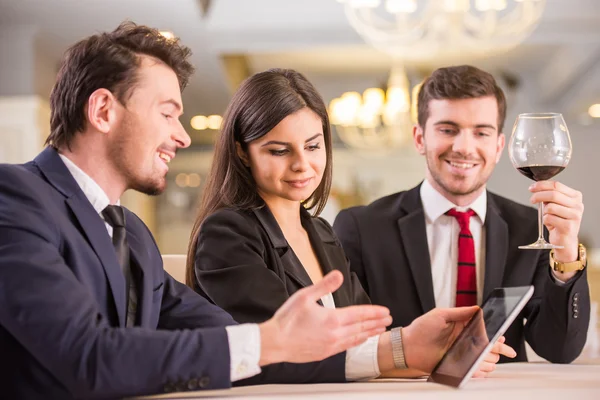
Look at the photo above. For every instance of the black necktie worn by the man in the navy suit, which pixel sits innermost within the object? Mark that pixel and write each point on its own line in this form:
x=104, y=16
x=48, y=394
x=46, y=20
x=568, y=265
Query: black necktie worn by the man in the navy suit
x=115, y=217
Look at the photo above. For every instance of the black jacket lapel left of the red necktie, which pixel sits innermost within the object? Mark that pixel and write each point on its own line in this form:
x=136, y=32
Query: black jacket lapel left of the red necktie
x=414, y=238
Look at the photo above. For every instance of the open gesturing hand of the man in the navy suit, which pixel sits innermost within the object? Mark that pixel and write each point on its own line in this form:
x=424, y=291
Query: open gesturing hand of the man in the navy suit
x=303, y=331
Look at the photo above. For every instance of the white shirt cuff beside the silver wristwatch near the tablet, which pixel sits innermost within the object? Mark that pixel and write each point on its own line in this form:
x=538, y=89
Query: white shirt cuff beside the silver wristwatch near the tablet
x=361, y=360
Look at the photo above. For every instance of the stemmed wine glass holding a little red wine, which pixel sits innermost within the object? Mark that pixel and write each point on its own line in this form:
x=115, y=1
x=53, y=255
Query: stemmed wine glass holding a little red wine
x=539, y=148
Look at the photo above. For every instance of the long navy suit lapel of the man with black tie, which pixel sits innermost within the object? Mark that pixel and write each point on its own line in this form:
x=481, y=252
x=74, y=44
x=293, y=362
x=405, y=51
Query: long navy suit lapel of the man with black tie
x=89, y=221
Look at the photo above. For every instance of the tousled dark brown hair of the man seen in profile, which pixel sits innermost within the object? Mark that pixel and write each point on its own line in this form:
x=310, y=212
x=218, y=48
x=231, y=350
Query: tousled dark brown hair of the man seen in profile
x=110, y=61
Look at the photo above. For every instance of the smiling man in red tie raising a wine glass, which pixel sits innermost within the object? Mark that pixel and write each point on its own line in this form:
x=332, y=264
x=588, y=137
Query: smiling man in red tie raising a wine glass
x=449, y=241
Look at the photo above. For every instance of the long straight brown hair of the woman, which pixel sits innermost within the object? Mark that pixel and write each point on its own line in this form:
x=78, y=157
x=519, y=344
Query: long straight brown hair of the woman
x=260, y=103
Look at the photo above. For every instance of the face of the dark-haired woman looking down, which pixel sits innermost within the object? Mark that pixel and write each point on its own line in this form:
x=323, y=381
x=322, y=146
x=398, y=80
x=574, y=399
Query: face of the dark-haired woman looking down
x=288, y=162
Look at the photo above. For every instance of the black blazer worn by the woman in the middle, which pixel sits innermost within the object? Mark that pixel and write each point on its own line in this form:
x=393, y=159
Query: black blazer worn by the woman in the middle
x=245, y=266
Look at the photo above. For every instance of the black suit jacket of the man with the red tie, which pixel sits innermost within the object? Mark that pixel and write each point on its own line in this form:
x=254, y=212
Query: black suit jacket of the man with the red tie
x=386, y=243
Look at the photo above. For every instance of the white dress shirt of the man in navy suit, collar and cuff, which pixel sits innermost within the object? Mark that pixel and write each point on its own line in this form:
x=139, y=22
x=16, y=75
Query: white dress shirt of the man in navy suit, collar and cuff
x=244, y=340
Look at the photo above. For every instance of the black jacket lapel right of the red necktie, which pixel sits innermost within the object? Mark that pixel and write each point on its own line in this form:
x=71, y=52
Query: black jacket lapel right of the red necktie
x=496, y=246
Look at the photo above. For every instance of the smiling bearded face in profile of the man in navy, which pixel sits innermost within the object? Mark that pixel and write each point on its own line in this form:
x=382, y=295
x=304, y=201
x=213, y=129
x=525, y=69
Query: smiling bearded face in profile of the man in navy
x=148, y=132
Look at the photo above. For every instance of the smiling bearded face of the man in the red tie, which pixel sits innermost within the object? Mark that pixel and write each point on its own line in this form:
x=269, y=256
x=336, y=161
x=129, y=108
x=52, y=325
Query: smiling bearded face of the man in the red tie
x=461, y=145
